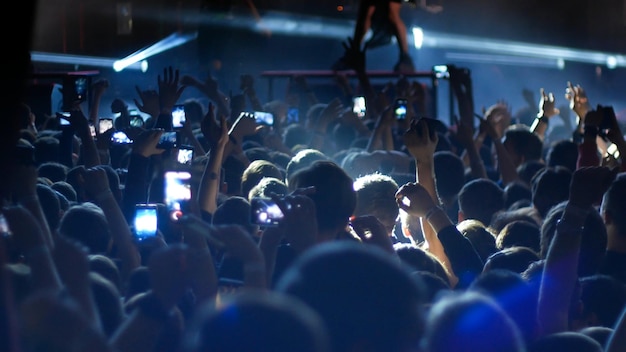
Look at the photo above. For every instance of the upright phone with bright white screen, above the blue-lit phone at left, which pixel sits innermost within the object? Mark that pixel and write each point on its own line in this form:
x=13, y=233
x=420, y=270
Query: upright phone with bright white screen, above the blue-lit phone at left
x=177, y=193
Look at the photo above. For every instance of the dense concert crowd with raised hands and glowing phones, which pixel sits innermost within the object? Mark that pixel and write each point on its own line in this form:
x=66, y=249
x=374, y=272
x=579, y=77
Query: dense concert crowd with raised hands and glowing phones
x=388, y=232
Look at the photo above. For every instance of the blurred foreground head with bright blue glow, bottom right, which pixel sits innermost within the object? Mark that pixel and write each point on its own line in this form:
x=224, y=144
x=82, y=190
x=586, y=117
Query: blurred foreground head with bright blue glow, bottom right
x=470, y=321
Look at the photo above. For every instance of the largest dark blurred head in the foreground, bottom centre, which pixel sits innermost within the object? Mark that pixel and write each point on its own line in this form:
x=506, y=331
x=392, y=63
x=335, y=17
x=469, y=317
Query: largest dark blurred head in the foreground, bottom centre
x=356, y=287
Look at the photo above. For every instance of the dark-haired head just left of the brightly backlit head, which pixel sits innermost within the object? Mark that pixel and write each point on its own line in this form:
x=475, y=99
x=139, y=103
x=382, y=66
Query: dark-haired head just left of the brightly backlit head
x=334, y=196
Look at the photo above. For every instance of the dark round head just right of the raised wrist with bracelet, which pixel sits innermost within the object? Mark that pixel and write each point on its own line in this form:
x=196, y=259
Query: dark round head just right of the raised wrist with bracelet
x=480, y=199
